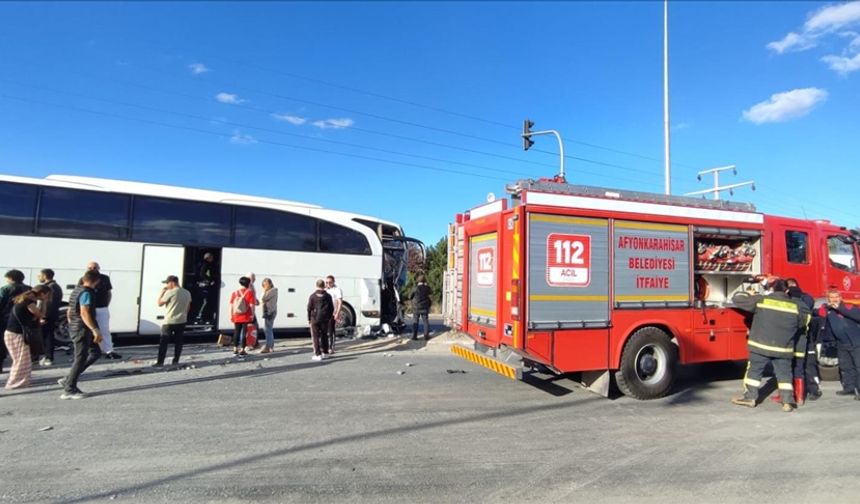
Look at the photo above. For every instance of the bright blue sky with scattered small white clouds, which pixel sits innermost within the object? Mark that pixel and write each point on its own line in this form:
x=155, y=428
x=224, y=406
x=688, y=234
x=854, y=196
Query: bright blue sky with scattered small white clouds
x=411, y=111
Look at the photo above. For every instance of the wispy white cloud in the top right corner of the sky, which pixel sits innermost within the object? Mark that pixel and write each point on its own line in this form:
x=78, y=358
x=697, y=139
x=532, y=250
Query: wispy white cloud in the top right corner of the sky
x=824, y=21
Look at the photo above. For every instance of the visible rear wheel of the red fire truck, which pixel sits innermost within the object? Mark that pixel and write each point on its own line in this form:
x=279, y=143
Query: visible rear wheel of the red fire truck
x=647, y=364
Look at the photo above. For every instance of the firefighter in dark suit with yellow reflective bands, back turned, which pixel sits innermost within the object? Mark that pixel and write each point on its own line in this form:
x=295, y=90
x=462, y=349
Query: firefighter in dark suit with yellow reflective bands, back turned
x=778, y=322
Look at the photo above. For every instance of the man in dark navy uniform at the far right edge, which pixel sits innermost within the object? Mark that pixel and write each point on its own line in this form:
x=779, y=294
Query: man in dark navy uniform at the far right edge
x=843, y=322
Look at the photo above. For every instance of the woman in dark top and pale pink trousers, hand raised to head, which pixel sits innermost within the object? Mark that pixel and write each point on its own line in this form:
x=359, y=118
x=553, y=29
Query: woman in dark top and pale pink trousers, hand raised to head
x=24, y=323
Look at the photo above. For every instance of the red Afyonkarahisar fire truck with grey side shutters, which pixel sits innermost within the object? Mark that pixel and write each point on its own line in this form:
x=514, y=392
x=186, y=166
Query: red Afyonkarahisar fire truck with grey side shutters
x=602, y=282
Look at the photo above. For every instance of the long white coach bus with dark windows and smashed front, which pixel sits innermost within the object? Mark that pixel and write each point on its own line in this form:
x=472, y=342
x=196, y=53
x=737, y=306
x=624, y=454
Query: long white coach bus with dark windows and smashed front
x=140, y=233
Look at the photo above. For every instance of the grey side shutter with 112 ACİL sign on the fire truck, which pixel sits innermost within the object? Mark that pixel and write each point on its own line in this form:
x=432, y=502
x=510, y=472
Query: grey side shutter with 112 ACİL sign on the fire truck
x=568, y=272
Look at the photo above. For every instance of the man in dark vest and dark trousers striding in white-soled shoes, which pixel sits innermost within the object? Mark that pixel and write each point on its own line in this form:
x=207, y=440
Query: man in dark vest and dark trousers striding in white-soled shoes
x=84, y=331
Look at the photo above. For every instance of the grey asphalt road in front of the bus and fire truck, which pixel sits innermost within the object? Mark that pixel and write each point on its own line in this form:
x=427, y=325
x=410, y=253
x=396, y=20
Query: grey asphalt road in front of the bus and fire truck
x=352, y=429
